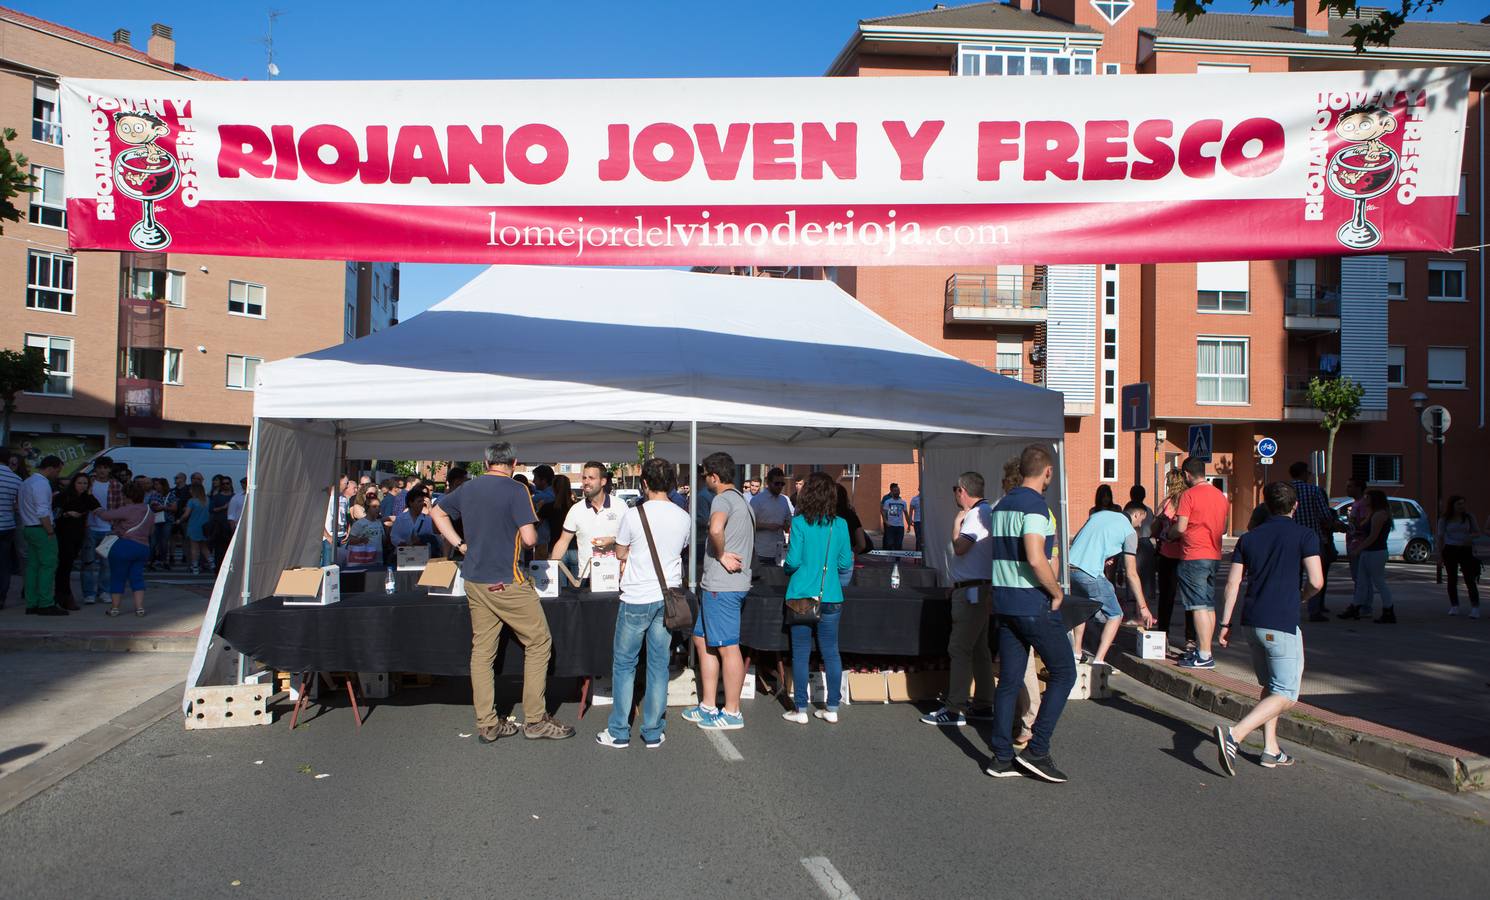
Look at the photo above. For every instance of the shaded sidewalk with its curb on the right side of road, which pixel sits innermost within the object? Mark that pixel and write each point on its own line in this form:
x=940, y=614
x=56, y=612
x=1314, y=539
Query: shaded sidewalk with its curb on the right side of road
x=1412, y=698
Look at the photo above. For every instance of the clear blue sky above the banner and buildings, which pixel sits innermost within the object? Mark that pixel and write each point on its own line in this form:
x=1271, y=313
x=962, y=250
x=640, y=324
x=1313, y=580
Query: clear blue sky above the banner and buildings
x=381, y=39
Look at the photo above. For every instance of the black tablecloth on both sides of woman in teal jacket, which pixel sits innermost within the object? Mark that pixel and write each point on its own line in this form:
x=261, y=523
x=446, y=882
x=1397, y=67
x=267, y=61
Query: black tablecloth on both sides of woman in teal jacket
x=905, y=622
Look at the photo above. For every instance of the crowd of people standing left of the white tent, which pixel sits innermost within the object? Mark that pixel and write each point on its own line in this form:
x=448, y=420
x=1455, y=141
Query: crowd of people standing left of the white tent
x=108, y=525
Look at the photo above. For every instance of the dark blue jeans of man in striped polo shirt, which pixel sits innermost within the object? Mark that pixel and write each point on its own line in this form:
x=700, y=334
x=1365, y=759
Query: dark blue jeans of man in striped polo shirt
x=1048, y=637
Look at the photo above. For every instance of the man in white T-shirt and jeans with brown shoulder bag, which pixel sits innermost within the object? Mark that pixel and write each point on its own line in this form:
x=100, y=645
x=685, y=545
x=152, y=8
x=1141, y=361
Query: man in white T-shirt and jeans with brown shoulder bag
x=650, y=546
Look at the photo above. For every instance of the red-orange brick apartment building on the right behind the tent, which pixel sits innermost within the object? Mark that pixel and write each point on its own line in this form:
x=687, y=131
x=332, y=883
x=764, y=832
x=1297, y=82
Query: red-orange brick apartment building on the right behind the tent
x=1224, y=343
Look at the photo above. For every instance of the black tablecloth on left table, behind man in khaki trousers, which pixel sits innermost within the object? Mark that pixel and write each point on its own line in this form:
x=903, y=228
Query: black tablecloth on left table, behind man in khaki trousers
x=412, y=633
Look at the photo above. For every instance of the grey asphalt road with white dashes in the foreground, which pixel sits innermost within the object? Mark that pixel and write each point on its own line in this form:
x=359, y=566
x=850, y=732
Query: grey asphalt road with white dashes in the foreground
x=896, y=810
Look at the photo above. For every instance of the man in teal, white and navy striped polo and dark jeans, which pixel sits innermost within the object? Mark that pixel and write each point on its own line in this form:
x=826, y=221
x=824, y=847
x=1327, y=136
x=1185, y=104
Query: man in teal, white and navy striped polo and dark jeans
x=1027, y=603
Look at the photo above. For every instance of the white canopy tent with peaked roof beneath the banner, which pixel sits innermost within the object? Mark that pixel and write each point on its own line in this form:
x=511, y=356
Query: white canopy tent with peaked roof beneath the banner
x=582, y=364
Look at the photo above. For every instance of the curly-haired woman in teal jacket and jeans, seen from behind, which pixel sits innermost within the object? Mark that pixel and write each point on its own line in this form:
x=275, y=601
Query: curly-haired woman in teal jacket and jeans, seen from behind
x=820, y=549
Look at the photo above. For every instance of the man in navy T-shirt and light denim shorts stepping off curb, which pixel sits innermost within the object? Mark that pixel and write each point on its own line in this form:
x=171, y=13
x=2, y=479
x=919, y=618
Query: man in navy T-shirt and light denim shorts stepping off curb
x=1270, y=558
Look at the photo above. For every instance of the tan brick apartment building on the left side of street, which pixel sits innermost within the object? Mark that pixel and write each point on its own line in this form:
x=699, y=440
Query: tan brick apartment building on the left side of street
x=154, y=349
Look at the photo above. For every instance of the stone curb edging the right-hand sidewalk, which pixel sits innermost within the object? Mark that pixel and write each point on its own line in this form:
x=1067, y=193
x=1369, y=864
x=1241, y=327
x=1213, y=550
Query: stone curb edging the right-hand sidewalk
x=1464, y=773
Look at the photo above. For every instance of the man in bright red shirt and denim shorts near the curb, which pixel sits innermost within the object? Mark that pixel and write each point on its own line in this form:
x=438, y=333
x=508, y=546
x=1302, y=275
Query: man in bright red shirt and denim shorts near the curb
x=1200, y=524
